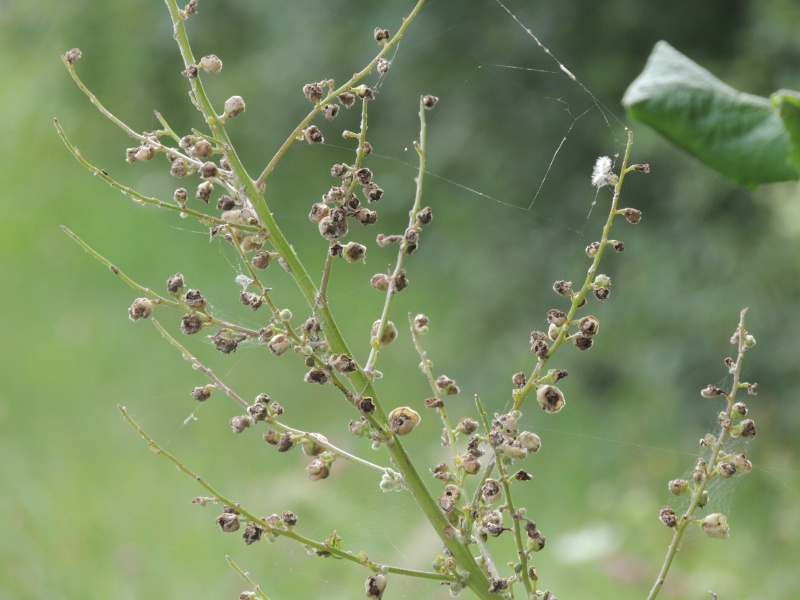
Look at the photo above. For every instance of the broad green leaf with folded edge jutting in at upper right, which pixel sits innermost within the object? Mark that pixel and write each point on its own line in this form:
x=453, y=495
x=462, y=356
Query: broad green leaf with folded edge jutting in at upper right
x=744, y=137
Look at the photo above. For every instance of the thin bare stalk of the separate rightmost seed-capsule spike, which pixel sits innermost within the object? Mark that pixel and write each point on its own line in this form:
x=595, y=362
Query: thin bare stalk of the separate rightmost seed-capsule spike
x=688, y=516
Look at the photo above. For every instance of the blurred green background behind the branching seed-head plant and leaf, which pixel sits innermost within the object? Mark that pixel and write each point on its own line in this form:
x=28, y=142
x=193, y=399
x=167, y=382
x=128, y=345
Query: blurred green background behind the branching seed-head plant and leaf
x=91, y=514
